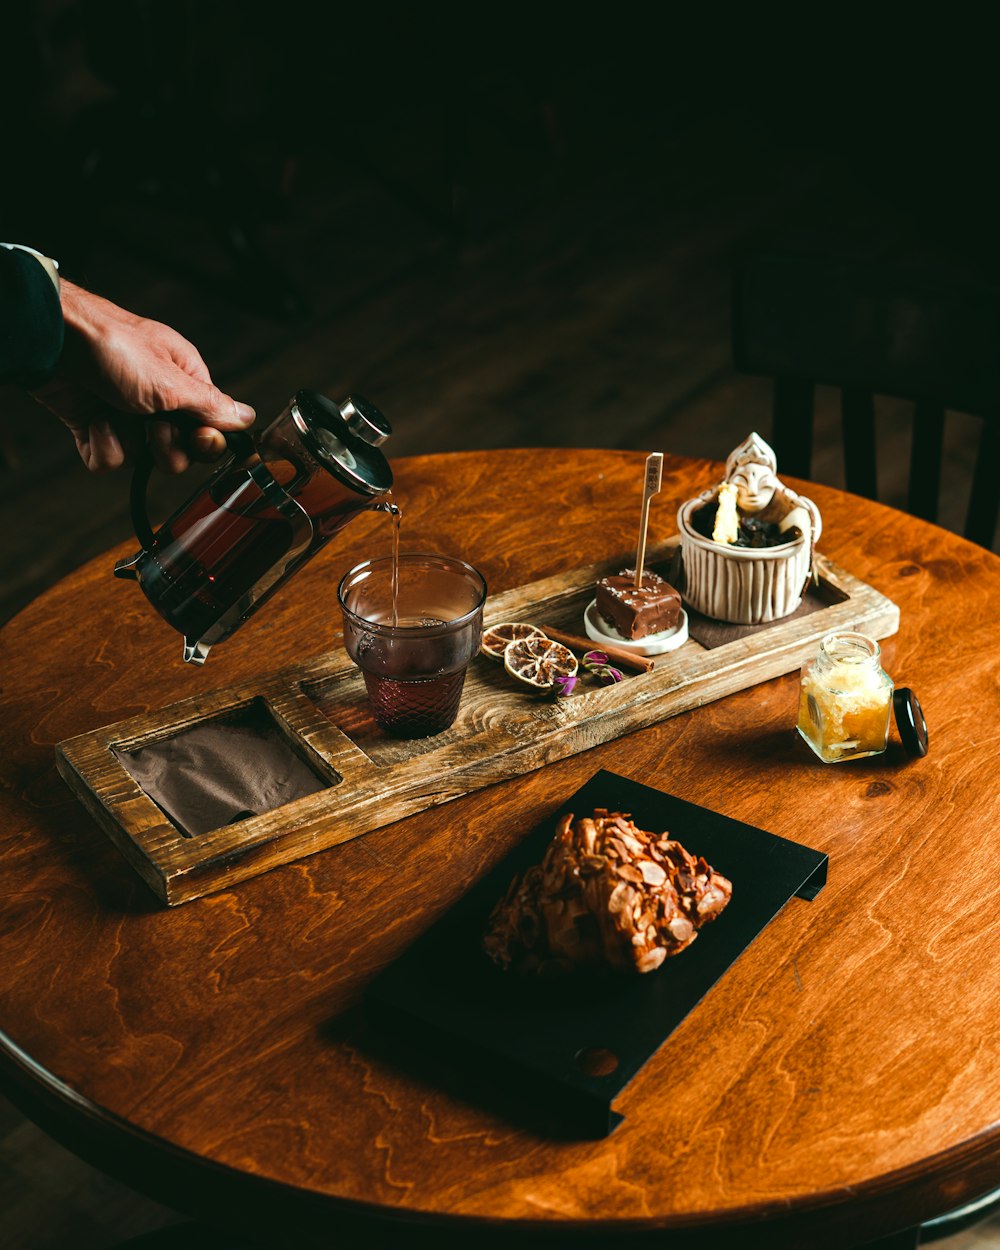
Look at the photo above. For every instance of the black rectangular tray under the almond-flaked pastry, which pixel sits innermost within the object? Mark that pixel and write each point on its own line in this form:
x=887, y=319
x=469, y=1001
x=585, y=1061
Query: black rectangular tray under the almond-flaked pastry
x=536, y=1038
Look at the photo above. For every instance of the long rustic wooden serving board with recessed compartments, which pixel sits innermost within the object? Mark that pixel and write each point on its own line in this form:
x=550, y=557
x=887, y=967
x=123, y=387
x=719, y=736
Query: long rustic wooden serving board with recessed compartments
x=502, y=732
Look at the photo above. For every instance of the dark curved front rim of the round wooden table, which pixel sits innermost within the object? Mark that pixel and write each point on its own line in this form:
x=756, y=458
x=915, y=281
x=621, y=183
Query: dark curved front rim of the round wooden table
x=191, y=1183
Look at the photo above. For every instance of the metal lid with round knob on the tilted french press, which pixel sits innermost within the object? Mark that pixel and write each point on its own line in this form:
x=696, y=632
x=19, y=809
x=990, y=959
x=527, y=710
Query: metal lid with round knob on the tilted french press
x=344, y=439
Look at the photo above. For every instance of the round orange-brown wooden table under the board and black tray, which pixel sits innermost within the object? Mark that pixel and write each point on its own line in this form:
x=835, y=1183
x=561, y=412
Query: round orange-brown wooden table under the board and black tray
x=842, y=1082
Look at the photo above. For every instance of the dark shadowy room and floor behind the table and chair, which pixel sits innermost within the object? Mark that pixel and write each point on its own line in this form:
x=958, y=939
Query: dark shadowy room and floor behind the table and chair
x=507, y=226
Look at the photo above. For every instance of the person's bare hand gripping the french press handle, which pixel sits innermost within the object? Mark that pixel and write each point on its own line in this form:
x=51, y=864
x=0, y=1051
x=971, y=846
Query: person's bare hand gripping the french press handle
x=117, y=369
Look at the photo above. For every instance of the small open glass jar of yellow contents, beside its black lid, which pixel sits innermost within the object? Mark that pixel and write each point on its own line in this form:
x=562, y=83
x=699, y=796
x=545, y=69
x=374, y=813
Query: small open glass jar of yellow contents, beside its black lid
x=846, y=699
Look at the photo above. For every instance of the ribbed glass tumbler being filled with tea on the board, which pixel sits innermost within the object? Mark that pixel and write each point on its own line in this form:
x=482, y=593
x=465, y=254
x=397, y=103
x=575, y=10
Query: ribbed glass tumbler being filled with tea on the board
x=412, y=628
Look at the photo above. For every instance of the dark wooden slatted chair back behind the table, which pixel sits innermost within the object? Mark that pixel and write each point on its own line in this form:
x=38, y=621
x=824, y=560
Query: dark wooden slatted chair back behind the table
x=874, y=327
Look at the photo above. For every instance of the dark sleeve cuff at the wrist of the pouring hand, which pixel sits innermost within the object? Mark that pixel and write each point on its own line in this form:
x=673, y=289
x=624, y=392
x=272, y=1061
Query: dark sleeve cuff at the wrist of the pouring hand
x=31, y=321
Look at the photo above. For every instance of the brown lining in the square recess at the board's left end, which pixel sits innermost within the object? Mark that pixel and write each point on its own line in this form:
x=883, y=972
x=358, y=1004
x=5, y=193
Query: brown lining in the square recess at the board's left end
x=222, y=771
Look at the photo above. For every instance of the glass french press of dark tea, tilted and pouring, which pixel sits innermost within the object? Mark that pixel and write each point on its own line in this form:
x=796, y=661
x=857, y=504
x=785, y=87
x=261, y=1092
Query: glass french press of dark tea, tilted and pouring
x=272, y=504
